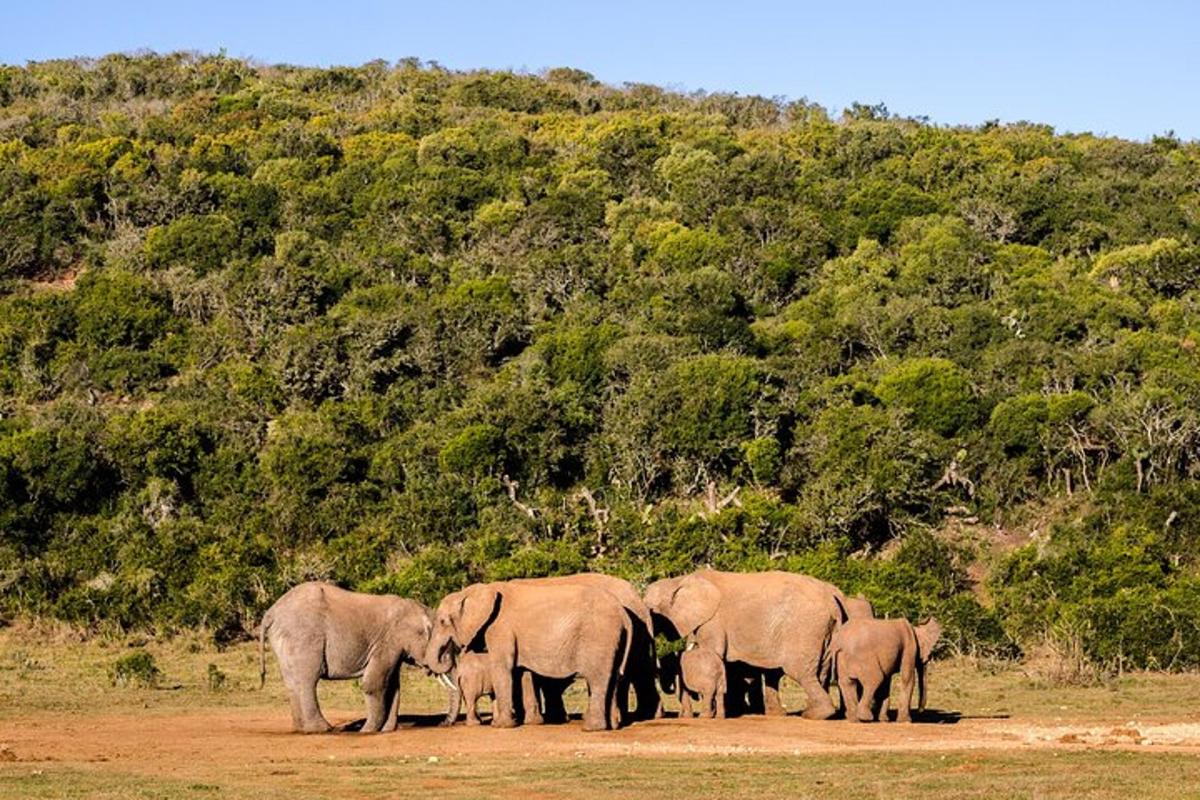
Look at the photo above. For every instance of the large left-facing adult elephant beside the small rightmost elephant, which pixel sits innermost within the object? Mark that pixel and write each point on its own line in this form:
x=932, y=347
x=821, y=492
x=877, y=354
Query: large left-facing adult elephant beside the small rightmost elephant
x=777, y=622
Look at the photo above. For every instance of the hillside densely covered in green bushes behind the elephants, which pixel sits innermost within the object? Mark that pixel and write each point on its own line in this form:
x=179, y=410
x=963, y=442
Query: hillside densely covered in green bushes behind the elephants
x=401, y=328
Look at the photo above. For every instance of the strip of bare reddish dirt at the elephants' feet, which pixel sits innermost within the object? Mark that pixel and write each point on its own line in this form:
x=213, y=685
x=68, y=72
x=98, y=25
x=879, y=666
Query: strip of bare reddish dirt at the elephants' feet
x=195, y=743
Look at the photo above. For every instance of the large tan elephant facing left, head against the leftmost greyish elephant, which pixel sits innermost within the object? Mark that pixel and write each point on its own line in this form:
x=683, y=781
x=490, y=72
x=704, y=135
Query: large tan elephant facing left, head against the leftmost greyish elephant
x=555, y=630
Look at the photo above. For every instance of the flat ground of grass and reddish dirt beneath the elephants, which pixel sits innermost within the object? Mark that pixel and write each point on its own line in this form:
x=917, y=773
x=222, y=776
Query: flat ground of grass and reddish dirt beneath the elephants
x=67, y=732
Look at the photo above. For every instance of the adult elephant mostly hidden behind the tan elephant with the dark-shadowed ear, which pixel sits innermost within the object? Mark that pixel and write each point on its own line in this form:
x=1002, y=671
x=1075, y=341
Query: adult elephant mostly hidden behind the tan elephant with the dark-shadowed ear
x=640, y=672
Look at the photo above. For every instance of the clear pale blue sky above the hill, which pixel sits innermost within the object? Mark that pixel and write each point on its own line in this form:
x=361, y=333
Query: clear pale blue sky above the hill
x=1126, y=69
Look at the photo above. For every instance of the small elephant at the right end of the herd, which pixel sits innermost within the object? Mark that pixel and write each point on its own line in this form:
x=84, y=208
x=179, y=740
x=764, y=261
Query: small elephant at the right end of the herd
x=866, y=655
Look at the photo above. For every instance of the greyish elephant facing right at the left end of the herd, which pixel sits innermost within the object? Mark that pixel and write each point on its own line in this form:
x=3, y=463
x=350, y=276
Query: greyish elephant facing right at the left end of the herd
x=319, y=630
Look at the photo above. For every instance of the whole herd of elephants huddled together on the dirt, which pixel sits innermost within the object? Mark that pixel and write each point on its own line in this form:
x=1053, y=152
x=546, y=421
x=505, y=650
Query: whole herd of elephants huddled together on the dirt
x=524, y=642
